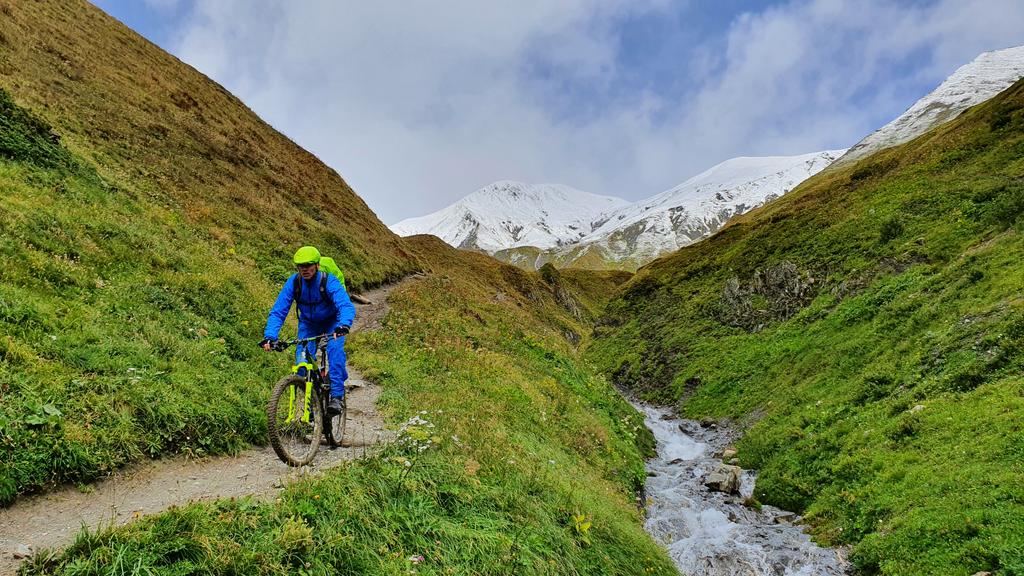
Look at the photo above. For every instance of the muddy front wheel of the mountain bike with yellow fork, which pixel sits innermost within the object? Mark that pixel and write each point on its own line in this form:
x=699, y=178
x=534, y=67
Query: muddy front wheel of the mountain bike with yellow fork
x=295, y=421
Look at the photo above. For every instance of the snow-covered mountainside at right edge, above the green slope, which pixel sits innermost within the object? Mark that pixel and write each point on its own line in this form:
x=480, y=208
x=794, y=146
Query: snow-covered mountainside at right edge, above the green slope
x=973, y=84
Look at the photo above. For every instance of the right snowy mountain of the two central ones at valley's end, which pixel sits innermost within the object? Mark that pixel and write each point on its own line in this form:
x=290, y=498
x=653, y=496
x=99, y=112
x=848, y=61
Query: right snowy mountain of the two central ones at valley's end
x=695, y=210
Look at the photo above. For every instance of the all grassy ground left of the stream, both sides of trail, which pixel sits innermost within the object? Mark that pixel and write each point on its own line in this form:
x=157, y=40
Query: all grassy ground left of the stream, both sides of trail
x=148, y=219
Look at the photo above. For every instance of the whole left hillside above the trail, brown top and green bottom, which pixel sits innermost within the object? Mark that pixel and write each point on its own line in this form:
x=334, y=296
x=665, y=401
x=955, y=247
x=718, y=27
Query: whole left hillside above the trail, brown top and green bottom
x=140, y=254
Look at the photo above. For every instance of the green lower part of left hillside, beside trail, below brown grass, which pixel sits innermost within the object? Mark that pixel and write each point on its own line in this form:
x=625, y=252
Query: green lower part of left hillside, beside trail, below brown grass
x=124, y=336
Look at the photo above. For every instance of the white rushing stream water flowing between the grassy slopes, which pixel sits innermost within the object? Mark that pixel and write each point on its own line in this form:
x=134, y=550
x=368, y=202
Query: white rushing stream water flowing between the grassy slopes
x=712, y=533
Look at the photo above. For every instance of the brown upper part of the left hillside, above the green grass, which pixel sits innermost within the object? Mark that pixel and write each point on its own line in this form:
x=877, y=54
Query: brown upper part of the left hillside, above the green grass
x=162, y=132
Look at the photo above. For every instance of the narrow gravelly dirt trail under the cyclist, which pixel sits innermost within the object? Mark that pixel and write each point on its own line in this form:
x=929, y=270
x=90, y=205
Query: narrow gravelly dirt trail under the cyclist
x=53, y=520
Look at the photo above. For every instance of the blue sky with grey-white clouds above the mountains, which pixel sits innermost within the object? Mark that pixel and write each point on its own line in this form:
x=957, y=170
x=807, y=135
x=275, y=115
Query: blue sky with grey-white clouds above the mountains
x=420, y=103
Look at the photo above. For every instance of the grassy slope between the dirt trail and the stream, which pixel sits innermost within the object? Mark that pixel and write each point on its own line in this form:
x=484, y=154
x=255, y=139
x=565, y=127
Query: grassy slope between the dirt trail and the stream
x=531, y=466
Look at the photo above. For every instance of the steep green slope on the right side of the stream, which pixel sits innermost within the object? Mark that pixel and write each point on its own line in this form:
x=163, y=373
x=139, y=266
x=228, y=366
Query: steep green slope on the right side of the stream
x=891, y=402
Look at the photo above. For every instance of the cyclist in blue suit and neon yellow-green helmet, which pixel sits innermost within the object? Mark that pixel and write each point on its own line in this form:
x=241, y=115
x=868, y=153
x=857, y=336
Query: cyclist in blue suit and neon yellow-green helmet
x=324, y=308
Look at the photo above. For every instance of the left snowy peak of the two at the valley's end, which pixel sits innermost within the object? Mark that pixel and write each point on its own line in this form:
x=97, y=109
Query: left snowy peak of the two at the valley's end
x=508, y=215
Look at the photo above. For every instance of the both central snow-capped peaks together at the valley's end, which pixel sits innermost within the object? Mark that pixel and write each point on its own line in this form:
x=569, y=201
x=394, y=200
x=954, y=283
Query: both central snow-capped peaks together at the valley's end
x=530, y=225
